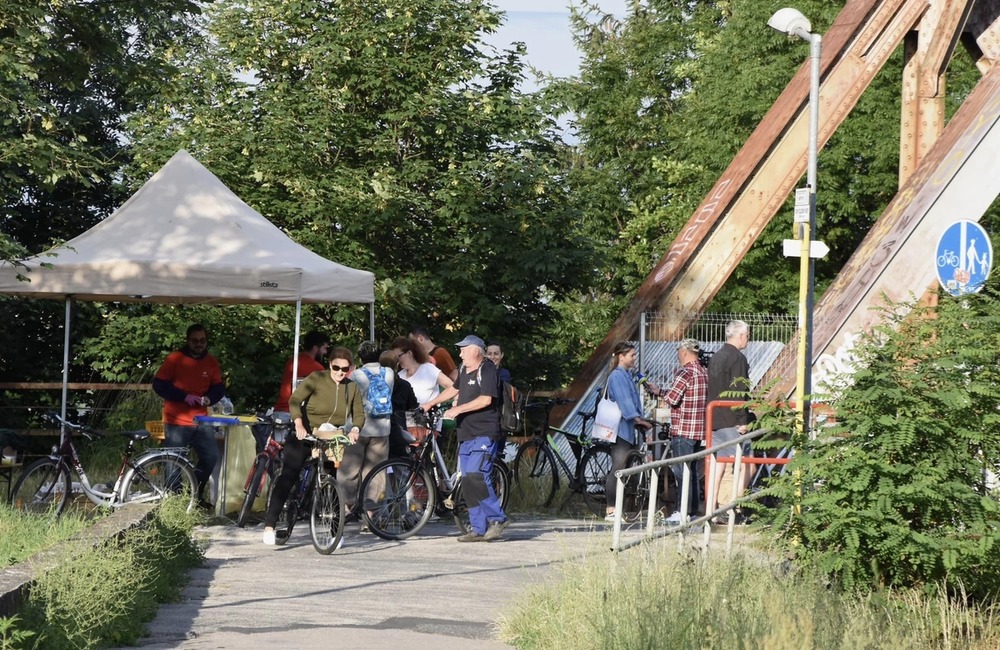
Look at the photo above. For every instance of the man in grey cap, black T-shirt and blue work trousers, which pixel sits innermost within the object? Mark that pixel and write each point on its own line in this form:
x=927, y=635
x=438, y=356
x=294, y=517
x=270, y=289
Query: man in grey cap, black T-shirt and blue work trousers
x=478, y=420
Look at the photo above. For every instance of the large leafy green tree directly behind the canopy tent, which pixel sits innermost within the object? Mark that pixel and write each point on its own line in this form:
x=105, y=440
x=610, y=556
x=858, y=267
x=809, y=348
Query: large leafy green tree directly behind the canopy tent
x=384, y=135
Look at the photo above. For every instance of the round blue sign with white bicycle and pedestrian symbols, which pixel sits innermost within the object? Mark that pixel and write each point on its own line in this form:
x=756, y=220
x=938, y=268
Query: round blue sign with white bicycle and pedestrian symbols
x=964, y=258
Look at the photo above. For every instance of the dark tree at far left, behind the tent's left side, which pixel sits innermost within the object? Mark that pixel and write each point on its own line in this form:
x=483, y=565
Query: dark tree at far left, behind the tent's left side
x=70, y=73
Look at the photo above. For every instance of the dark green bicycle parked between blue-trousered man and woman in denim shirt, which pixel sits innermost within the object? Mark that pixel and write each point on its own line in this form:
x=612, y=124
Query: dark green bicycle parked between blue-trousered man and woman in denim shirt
x=539, y=460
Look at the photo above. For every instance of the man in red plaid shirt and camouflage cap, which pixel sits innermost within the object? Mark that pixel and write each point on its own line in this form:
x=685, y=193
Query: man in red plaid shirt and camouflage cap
x=687, y=421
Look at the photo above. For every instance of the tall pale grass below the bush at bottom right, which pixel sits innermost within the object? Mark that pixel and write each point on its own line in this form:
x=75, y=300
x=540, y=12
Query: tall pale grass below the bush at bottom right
x=652, y=597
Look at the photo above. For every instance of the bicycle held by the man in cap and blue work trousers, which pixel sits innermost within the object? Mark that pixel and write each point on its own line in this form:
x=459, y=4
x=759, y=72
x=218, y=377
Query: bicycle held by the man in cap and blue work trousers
x=400, y=495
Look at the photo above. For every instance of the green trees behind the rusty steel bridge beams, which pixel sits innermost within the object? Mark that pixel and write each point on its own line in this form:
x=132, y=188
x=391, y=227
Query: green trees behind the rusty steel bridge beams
x=664, y=101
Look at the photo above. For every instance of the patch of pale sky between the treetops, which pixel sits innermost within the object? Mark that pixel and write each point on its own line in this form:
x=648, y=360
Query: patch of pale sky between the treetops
x=543, y=26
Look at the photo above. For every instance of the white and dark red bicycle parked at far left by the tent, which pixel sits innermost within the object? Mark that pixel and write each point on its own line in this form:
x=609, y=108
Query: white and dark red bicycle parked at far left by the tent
x=143, y=477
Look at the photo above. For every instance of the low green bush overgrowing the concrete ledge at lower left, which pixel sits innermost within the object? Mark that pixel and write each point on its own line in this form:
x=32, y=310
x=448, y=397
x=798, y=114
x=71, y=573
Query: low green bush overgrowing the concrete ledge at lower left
x=103, y=596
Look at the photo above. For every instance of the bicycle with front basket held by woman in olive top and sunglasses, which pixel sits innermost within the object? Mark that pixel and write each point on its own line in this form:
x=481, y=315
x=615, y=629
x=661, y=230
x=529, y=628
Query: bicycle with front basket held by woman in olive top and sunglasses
x=317, y=493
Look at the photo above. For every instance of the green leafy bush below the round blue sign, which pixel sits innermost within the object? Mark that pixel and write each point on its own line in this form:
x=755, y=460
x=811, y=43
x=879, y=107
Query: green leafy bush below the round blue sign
x=894, y=493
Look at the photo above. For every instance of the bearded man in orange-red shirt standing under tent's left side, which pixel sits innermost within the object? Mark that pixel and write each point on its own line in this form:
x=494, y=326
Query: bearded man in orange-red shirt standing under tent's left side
x=189, y=381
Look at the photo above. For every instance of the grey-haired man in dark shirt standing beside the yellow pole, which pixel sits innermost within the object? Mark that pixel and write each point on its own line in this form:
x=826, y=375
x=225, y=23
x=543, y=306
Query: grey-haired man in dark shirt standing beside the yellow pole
x=729, y=371
